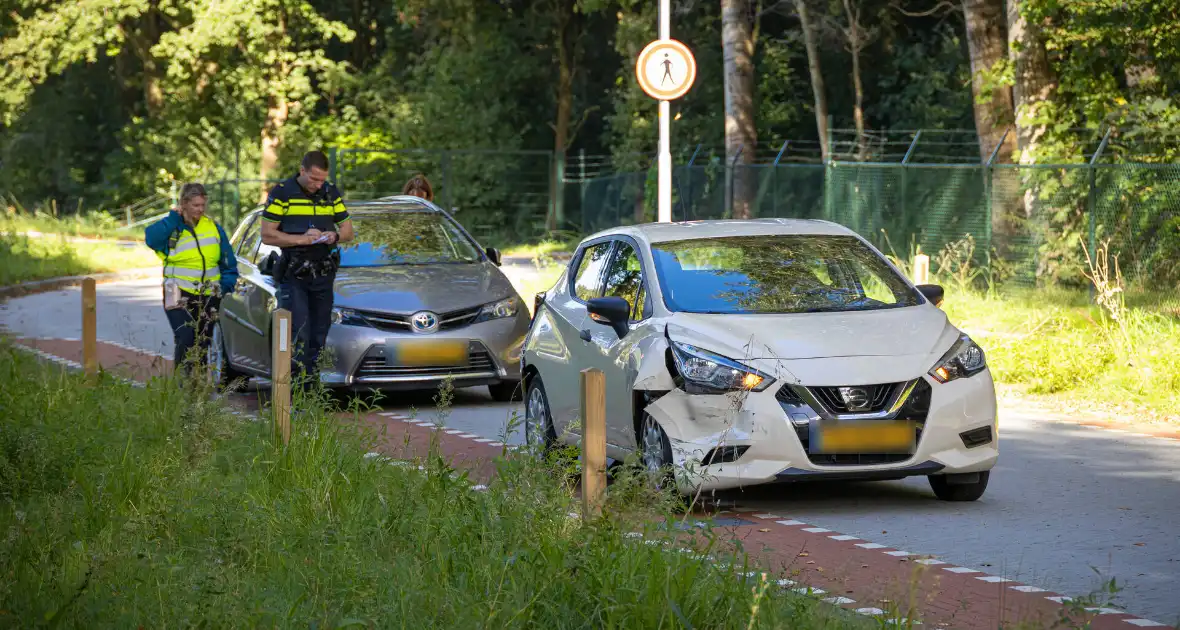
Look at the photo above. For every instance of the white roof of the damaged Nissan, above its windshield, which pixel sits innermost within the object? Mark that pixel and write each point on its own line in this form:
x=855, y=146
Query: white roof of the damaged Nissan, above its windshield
x=686, y=231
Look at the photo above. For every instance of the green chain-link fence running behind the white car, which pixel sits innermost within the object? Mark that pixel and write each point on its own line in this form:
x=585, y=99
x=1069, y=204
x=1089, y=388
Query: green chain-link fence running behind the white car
x=1022, y=225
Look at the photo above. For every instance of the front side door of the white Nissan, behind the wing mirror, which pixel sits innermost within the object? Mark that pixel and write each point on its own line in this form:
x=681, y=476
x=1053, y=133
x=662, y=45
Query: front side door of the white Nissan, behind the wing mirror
x=625, y=279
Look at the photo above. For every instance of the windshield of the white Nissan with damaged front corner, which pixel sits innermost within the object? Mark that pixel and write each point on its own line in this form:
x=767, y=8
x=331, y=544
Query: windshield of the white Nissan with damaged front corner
x=777, y=274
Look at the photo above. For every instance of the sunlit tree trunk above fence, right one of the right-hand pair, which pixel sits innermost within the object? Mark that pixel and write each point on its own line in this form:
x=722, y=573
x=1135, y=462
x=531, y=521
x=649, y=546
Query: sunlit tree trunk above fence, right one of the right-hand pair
x=1035, y=82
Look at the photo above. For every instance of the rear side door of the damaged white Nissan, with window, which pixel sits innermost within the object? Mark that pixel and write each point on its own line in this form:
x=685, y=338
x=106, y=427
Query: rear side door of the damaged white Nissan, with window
x=569, y=314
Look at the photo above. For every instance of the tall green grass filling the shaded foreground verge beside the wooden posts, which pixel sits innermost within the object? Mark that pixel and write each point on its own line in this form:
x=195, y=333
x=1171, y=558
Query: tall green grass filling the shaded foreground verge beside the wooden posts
x=154, y=507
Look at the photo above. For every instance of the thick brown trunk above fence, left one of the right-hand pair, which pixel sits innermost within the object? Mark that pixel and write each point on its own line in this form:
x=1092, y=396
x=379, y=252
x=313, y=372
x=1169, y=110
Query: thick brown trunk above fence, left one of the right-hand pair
x=988, y=47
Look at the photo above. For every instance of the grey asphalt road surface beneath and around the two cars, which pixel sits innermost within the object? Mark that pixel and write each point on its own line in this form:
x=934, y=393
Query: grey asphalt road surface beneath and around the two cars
x=1068, y=507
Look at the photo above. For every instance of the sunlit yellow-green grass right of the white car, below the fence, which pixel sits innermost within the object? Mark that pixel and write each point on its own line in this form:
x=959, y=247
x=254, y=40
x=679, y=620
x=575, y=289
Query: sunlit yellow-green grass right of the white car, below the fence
x=1116, y=350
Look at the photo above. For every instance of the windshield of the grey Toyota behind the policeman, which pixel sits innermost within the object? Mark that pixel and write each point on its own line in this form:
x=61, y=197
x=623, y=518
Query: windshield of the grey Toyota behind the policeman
x=391, y=239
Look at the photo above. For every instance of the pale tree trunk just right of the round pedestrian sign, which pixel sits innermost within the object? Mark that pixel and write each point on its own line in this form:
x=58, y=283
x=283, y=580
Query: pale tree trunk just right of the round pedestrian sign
x=742, y=135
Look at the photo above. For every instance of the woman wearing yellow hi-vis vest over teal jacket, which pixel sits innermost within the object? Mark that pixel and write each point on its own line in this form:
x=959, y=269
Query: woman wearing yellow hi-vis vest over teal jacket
x=200, y=267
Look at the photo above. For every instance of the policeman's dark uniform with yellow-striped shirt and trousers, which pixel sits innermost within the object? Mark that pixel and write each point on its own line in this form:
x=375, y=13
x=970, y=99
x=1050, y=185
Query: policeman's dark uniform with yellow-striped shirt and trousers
x=306, y=274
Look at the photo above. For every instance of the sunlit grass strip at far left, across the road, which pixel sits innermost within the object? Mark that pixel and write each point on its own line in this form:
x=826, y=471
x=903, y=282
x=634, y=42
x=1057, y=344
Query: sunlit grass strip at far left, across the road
x=24, y=259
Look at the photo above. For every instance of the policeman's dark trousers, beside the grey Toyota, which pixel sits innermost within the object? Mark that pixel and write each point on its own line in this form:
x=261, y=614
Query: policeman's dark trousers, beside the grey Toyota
x=310, y=303
